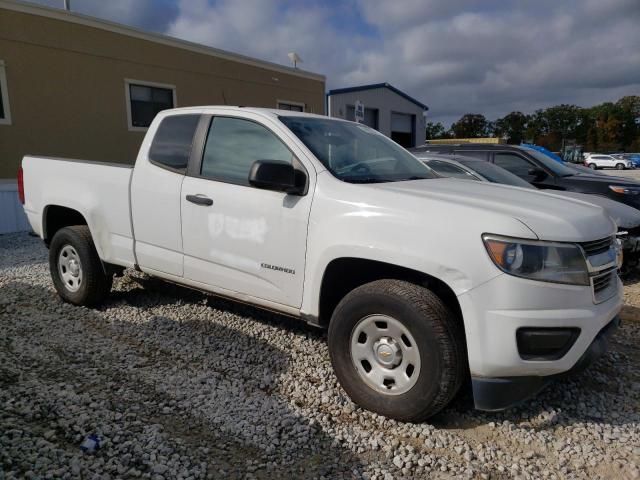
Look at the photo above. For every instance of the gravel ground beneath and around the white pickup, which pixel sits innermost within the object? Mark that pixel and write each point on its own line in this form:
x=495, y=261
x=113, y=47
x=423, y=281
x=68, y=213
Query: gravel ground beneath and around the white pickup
x=177, y=384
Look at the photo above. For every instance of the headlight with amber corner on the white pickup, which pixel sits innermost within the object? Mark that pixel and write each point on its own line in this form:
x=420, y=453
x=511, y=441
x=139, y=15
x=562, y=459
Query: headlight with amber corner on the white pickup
x=544, y=261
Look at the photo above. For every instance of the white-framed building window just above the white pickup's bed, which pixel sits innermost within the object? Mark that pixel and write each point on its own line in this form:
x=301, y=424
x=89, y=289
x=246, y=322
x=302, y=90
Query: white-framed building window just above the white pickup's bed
x=145, y=100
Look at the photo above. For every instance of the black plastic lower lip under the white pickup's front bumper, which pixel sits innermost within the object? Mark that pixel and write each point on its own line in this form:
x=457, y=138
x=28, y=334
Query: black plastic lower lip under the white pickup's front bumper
x=492, y=394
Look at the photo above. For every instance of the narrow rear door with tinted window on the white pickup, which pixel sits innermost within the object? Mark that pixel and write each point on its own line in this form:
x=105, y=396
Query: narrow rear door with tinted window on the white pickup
x=155, y=194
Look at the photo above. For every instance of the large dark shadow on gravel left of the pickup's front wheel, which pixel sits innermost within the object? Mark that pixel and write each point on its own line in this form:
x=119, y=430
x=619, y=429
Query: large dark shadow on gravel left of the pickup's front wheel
x=184, y=387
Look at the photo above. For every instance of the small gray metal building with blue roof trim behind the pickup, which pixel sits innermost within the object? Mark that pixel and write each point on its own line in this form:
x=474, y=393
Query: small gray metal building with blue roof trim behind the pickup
x=387, y=109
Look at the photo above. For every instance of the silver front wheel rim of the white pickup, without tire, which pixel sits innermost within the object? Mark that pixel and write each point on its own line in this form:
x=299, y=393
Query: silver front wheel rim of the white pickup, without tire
x=385, y=354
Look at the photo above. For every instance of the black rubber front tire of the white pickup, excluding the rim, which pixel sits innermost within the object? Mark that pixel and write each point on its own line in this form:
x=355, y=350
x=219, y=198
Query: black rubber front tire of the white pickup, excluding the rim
x=438, y=336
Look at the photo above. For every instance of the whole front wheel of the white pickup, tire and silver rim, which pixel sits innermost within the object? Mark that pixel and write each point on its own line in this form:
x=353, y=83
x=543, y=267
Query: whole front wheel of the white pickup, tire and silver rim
x=397, y=350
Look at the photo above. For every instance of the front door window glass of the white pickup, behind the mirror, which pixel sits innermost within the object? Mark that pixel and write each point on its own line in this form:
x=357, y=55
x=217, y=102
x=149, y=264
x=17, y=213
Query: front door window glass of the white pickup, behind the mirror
x=234, y=144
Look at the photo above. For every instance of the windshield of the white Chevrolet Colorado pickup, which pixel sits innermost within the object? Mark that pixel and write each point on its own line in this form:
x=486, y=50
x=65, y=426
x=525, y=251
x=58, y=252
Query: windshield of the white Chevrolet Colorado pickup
x=356, y=153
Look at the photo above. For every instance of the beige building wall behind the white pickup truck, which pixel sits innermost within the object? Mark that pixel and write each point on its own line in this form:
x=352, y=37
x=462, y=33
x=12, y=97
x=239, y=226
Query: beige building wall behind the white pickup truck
x=66, y=84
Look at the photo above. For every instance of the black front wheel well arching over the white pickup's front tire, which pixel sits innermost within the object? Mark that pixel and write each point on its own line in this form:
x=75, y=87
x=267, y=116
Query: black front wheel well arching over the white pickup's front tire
x=345, y=274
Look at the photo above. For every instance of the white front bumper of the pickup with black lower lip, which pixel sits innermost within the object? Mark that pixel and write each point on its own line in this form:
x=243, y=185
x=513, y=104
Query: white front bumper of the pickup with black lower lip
x=497, y=310
